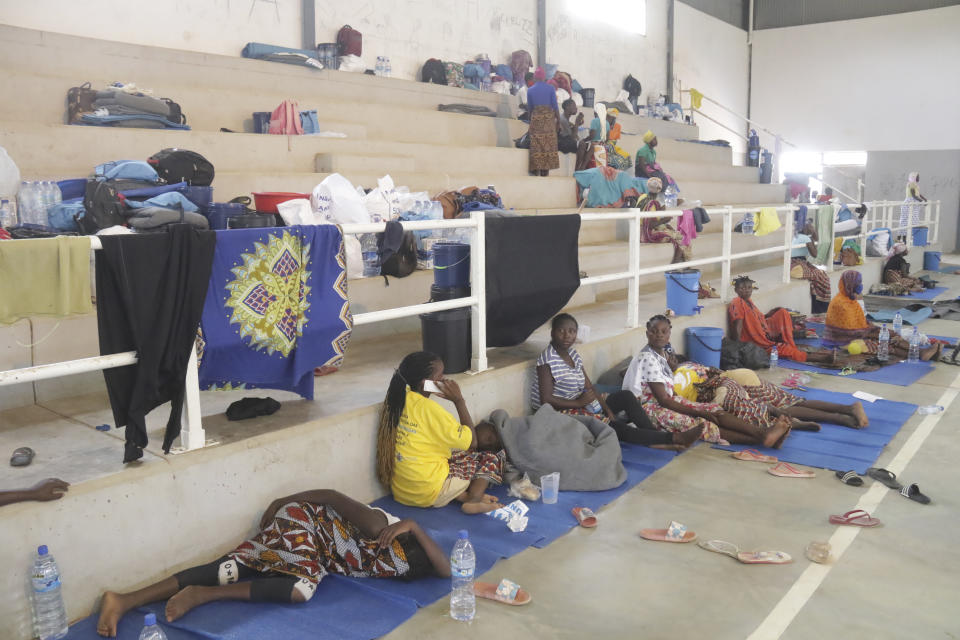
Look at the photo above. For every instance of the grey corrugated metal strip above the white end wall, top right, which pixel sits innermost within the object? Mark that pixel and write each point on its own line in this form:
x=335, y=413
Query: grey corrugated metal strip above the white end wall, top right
x=772, y=14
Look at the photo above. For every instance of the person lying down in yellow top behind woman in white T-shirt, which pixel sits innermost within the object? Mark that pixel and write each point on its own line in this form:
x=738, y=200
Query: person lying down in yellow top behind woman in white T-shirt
x=743, y=393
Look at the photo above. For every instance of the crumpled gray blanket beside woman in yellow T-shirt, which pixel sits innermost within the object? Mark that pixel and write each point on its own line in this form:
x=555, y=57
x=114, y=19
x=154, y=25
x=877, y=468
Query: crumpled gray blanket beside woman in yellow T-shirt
x=584, y=450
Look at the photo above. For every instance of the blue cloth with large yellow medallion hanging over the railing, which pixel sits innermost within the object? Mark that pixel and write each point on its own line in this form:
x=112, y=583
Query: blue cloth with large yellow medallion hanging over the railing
x=276, y=309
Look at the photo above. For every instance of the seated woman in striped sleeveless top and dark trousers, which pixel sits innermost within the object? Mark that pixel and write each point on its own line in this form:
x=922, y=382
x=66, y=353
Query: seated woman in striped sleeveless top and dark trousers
x=562, y=382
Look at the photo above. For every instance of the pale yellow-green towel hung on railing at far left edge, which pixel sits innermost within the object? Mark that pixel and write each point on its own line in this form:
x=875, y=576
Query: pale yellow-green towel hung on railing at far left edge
x=44, y=277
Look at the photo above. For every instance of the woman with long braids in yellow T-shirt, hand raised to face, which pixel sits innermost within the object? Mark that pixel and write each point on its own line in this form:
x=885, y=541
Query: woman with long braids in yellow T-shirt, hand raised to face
x=425, y=456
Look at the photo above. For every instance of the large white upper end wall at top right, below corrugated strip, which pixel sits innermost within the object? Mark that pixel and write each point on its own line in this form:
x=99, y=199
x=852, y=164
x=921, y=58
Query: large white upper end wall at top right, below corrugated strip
x=891, y=82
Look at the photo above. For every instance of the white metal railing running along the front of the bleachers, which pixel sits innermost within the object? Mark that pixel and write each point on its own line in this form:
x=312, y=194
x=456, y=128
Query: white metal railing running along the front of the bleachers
x=880, y=214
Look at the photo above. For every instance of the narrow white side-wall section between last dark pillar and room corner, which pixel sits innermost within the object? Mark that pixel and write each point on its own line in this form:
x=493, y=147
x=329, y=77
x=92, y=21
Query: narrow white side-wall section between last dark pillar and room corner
x=712, y=57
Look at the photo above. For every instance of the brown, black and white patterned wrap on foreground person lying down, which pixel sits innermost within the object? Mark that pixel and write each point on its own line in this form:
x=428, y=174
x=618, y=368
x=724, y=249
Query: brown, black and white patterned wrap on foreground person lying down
x=309, y=541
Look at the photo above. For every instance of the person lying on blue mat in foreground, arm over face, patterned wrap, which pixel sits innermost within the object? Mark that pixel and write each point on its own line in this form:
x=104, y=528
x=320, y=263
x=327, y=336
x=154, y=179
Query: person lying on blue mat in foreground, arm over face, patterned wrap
x=334, y=534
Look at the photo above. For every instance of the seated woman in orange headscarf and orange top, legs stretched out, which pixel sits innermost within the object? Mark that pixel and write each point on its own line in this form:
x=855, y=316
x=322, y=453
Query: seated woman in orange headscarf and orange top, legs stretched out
x=847, y=322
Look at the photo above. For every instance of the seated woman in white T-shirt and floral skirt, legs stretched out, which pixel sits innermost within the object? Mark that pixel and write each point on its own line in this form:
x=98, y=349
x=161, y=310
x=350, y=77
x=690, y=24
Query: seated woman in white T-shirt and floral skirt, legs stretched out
x=650, y=377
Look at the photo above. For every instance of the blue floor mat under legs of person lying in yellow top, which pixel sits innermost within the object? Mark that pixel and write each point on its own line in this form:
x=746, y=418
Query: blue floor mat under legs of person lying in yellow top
x=841, y=448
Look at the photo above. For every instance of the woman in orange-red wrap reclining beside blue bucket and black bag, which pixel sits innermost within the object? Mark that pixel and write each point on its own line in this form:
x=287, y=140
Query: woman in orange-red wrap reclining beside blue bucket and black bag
x=749, y=324
